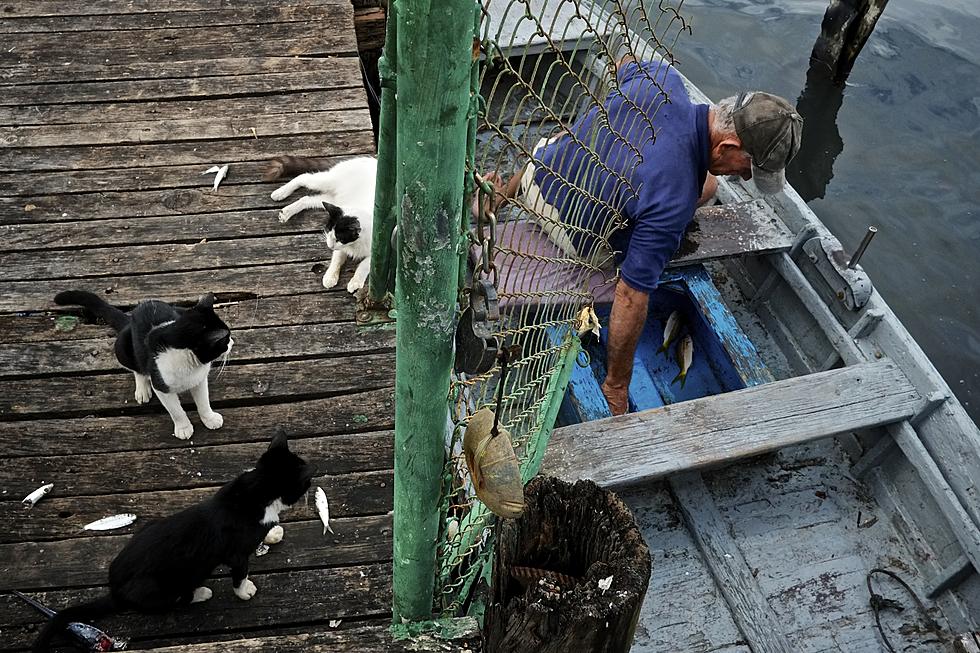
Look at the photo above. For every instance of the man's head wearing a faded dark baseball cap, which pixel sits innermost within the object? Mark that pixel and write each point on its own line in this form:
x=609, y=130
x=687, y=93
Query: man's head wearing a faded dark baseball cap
x=754, y=136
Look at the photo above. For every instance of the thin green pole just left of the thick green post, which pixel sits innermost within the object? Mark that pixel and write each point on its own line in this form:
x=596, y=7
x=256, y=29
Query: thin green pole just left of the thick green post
x=384, y=196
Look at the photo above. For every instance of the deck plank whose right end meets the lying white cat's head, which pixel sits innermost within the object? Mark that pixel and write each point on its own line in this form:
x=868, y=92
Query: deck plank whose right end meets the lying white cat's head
x=186, y=228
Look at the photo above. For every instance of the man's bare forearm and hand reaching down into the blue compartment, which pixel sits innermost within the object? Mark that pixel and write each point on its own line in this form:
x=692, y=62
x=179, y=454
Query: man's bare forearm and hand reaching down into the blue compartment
x=629, y=314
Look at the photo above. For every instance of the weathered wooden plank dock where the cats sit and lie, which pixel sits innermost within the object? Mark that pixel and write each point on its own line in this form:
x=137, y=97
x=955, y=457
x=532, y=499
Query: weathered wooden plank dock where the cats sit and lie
x=110, y=110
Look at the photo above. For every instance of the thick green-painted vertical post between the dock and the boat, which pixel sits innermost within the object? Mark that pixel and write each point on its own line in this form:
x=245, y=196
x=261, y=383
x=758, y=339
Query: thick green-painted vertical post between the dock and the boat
x=434, y=54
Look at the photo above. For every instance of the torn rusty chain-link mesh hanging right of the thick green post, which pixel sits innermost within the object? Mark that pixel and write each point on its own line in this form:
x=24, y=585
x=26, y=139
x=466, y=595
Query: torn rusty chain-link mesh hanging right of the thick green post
x=547, y=67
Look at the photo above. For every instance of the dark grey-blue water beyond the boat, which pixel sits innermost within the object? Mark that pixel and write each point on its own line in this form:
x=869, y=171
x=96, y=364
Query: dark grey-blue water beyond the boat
x=908, y=135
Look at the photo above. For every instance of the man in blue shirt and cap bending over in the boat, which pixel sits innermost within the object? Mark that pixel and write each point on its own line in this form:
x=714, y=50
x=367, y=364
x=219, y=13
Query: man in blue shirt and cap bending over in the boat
x=610, y=192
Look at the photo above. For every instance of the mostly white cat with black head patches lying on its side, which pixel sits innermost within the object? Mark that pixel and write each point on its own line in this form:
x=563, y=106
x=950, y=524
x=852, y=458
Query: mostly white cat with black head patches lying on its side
x=346, y=193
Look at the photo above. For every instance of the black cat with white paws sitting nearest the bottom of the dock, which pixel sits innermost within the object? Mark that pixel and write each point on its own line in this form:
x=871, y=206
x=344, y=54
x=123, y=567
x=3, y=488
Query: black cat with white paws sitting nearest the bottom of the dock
x=167, y=562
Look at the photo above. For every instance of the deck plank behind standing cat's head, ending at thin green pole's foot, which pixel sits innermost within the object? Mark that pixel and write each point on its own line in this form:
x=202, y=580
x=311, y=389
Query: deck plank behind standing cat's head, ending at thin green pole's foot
x=315, y=308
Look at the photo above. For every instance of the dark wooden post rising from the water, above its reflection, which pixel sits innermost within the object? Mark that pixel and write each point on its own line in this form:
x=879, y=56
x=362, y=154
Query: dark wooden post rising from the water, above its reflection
x=845, y=29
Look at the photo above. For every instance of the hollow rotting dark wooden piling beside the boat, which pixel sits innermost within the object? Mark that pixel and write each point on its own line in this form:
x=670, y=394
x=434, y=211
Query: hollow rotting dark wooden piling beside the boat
x=570, y=574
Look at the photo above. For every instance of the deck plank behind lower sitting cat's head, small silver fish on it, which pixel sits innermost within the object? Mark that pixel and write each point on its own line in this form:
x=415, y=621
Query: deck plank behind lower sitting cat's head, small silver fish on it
x=56, y=517
